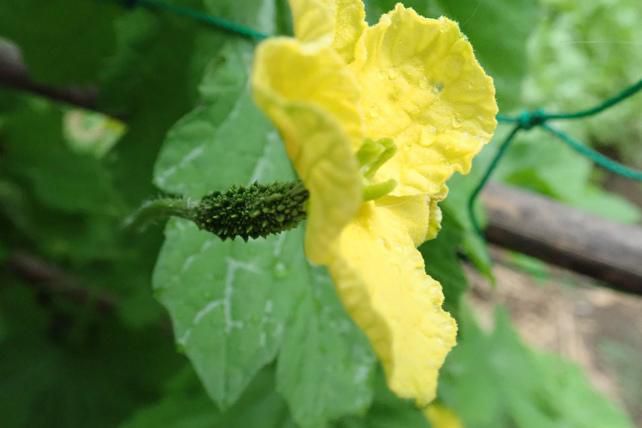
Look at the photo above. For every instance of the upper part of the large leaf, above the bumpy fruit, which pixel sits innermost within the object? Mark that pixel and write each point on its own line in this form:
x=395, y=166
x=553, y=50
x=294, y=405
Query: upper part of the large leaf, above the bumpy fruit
x=228, y=126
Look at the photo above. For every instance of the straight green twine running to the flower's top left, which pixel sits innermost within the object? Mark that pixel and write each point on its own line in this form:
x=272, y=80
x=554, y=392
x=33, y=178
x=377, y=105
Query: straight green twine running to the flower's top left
x=203, y=18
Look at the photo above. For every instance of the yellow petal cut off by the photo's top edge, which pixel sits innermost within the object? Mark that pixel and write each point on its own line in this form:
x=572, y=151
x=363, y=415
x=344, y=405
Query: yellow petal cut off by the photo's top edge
x=335, y=23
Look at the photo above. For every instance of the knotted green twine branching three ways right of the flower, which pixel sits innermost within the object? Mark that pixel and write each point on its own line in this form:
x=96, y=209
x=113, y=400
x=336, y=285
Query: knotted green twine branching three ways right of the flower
x=539, y=118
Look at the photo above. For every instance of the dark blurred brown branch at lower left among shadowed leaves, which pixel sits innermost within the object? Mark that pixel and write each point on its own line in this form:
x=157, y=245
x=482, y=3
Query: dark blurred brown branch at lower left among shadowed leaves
x=45, y=277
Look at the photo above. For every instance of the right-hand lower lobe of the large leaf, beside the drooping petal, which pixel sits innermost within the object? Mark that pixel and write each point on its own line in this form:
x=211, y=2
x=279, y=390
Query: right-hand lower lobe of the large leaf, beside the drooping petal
x=325, y=364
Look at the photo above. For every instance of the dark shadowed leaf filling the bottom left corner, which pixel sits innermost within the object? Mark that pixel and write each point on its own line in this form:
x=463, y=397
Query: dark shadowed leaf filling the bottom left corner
x=54, y=377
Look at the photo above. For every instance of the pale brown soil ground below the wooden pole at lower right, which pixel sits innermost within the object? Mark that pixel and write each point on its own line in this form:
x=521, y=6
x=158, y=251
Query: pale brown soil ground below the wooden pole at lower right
x=571, y=315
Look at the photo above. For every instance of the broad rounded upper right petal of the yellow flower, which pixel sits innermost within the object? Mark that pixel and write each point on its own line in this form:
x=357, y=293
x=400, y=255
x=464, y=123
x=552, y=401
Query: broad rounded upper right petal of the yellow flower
x=422, y=86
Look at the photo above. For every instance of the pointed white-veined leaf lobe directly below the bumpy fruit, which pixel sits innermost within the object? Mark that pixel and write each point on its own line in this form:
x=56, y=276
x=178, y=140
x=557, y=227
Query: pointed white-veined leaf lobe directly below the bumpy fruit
x=229, y=302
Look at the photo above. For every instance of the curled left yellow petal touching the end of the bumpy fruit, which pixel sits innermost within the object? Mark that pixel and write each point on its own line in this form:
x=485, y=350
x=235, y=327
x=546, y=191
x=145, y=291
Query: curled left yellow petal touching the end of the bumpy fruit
x=310, y=98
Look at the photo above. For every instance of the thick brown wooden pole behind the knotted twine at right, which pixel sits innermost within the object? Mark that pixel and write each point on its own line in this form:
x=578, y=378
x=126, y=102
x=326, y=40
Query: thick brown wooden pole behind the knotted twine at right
x=565, y=237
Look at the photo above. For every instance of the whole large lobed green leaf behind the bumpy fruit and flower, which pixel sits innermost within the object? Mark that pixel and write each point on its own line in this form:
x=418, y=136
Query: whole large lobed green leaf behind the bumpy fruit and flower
x=233, y=302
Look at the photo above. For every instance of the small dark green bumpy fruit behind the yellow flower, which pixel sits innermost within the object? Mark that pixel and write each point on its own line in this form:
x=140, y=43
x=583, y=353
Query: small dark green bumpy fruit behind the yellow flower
x=254, y=211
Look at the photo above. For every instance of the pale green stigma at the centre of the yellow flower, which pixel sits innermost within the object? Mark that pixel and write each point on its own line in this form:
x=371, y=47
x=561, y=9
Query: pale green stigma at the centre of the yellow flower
x=371, y=156
